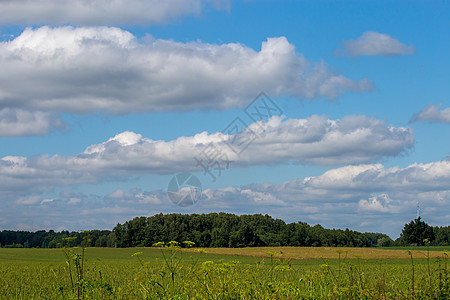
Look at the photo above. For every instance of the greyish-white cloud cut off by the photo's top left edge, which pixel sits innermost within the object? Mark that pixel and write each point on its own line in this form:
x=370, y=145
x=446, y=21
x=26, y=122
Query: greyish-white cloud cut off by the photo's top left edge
x=99, y=12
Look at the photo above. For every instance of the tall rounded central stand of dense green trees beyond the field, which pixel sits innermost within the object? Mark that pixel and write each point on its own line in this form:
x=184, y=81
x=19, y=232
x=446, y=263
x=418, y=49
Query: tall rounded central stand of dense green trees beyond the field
x=229, y=230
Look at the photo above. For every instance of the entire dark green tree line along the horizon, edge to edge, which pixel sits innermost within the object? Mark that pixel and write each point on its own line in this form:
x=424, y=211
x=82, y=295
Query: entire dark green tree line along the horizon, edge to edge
x=224, y=230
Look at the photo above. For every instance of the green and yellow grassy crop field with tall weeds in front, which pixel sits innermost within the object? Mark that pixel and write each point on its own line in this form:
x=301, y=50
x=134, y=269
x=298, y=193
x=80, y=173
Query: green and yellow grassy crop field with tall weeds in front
x=221, y=273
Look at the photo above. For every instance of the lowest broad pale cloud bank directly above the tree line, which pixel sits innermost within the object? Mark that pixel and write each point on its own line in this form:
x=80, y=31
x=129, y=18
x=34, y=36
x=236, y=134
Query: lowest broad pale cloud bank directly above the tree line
x=366, y=197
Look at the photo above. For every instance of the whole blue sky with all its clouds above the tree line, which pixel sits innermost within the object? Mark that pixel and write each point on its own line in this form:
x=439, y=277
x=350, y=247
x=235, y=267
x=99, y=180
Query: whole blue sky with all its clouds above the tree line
x=326, y=112
